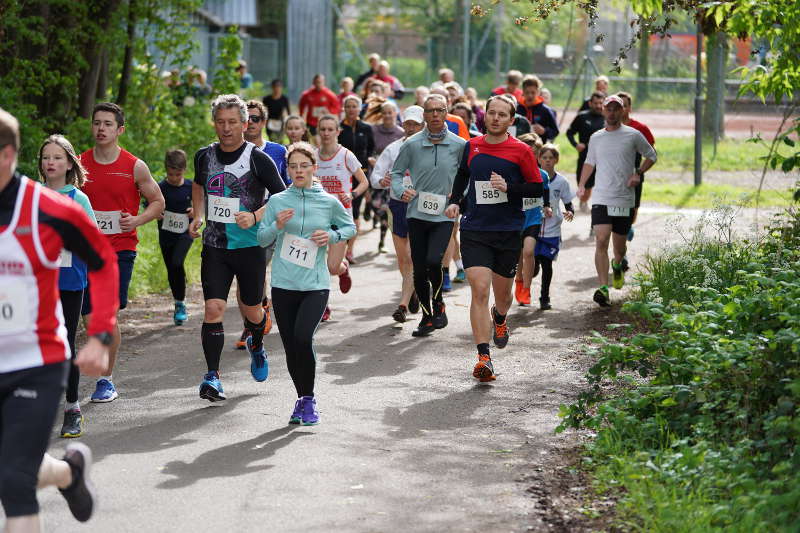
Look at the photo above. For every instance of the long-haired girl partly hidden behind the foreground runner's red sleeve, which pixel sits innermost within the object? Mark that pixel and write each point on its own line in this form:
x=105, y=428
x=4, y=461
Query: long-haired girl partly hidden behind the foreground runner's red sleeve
x=61, y=171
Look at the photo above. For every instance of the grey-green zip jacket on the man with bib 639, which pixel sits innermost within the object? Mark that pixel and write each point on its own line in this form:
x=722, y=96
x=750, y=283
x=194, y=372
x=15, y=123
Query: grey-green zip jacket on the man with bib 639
x=432, y=168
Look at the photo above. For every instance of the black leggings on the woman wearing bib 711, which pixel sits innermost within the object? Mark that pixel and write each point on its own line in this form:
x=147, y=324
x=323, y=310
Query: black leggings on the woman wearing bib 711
x=298, y=313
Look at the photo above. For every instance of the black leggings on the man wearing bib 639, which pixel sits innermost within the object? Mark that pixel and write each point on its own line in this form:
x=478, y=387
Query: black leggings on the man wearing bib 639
x=428, y=241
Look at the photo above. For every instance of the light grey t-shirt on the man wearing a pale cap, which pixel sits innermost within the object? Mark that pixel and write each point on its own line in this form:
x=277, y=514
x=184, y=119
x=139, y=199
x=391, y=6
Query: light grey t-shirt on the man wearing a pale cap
x=613, y=154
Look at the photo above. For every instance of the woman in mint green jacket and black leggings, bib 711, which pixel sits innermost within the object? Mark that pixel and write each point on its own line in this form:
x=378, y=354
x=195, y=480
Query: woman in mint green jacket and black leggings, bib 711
x=302, y=221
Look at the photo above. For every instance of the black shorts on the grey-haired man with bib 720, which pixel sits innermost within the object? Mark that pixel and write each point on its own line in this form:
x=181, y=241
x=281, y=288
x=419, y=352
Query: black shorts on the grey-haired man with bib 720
x=218, y=266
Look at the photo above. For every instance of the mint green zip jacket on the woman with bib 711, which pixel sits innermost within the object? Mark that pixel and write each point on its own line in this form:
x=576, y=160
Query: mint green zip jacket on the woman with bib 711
x=313, y=209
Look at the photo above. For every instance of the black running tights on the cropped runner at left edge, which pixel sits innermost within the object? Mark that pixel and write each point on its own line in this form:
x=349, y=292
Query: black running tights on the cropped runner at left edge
x=30, y=400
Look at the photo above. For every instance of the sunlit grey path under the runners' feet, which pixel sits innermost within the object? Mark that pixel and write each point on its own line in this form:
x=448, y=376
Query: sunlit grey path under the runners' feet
x=408, y=440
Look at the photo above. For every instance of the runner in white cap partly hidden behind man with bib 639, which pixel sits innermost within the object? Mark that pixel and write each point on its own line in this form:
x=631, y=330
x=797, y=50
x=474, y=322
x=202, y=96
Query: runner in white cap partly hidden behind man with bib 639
x=381, y=179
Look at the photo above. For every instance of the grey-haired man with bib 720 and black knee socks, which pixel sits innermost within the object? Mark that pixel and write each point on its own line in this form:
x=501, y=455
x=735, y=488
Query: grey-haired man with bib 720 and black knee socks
x=232, y=177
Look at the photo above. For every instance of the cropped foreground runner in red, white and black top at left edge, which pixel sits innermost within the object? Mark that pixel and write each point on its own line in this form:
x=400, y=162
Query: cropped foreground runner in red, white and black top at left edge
x=35, y=225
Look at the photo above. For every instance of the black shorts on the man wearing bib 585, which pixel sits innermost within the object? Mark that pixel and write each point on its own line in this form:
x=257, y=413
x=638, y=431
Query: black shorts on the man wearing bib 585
x=497, y=250
